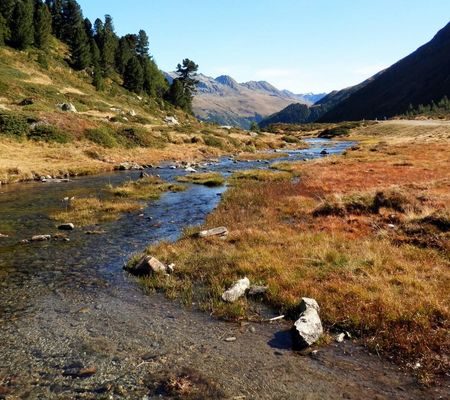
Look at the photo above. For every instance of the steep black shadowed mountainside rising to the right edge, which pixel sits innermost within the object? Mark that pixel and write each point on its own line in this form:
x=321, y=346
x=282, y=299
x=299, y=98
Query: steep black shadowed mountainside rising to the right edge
x=420, y=78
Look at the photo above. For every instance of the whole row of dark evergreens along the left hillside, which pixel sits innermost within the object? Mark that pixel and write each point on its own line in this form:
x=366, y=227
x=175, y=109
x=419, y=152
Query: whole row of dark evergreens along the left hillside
x=94, y=47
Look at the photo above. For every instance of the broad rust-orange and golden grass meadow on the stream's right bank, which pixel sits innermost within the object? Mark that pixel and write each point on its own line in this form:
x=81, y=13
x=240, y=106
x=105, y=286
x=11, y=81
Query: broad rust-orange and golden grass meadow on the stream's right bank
x=377, y=261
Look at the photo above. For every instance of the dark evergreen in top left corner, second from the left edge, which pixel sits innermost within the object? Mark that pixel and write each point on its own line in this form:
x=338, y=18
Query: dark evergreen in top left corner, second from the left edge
x=22, y=32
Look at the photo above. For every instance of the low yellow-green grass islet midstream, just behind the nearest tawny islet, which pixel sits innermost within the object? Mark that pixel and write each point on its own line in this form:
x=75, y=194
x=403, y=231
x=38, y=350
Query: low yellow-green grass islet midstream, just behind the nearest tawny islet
x=148, y=188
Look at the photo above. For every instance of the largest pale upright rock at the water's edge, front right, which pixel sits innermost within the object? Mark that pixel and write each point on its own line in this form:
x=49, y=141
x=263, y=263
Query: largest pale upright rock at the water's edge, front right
x=308, y=328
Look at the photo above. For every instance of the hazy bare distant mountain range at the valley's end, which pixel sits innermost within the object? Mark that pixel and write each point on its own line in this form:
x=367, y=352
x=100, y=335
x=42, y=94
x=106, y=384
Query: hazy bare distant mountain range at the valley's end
x=224, y=101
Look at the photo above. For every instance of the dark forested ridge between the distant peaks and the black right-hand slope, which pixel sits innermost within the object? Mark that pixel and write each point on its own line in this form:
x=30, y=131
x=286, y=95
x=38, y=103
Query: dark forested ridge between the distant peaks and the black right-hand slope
x=302, y=113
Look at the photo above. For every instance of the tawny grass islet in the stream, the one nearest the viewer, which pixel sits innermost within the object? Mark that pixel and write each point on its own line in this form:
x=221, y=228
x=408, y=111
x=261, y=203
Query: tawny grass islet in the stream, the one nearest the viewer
x=91, y=210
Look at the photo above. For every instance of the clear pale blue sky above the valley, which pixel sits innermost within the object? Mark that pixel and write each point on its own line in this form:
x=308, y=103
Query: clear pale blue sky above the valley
x=303, y=46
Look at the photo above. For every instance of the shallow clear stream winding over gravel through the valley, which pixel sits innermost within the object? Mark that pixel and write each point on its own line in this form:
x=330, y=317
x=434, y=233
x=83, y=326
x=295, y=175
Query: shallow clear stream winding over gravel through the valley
x=68, y=306
